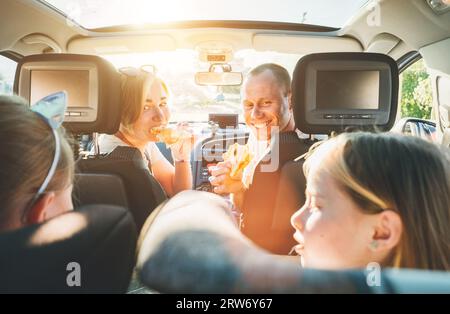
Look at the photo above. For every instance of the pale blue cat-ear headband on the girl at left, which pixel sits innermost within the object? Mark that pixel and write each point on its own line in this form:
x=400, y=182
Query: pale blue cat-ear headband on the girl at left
x=52, y=110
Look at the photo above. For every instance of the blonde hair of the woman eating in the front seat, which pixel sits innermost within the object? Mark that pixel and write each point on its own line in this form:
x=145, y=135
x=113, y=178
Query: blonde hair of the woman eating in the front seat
x=134, y=93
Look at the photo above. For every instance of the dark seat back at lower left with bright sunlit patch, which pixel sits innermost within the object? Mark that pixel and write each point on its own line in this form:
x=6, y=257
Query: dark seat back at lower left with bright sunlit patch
x=100, y=239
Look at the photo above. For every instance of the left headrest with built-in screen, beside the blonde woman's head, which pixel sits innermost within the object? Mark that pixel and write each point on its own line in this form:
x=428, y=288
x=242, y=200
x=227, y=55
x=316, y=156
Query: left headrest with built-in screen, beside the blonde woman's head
x=92, y=85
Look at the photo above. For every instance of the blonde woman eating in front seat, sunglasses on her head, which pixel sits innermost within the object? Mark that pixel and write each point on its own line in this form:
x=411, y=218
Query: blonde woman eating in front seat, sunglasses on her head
x=145, y=109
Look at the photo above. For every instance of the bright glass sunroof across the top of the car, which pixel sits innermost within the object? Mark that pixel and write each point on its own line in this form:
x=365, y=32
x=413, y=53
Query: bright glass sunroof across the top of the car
x=93, y=14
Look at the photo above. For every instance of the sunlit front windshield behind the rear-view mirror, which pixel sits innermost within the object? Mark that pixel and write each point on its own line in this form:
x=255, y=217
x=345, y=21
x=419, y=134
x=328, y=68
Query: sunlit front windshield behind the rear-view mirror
x=191, y=102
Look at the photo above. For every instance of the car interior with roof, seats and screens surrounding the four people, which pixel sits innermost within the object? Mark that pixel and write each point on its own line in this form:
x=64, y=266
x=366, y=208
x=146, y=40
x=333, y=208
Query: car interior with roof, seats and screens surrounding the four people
x=47, y=46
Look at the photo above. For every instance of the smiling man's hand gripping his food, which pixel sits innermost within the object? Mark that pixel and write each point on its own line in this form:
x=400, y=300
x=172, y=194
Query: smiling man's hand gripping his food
x=222, y=181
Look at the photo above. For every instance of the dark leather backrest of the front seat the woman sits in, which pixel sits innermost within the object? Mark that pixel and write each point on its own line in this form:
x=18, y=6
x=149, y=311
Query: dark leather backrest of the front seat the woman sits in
x=131, y=182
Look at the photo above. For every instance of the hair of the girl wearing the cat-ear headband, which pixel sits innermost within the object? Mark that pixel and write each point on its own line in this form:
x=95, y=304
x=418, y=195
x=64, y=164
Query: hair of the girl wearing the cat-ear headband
x=27, y=150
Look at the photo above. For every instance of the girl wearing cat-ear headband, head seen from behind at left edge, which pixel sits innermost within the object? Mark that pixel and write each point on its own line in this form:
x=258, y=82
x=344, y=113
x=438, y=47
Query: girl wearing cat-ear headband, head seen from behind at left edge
x=37, y=188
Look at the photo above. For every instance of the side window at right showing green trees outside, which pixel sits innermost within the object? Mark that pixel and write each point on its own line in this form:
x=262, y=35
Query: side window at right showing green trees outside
x=416, y=95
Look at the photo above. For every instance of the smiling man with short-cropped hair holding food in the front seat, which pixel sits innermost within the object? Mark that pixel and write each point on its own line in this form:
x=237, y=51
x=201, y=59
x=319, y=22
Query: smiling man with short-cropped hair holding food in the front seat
x=266, y=99
